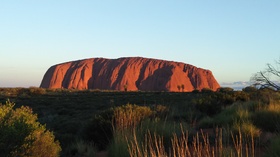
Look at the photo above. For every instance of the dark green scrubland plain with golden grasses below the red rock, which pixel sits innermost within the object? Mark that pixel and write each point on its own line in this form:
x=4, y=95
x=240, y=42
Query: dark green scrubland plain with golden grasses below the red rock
x=149, y=124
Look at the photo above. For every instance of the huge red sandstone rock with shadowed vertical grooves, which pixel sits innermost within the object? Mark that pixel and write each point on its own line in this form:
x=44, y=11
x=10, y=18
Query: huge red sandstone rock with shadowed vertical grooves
x=134, y=73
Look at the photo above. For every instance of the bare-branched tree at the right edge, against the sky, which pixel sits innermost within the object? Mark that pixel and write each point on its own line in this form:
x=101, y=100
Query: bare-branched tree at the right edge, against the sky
x=264, y=78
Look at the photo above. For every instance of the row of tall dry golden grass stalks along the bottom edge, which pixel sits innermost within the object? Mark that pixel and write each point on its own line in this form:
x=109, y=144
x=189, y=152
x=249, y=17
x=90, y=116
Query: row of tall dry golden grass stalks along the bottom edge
x=201, y=146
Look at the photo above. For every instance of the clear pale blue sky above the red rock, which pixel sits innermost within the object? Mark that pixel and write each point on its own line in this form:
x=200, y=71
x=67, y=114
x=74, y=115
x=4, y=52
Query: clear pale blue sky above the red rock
x=234, y=39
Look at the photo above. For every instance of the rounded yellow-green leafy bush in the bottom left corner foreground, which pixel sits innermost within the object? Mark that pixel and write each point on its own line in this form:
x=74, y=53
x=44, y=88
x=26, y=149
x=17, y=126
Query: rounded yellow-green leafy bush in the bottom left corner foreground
x=22, y=135
